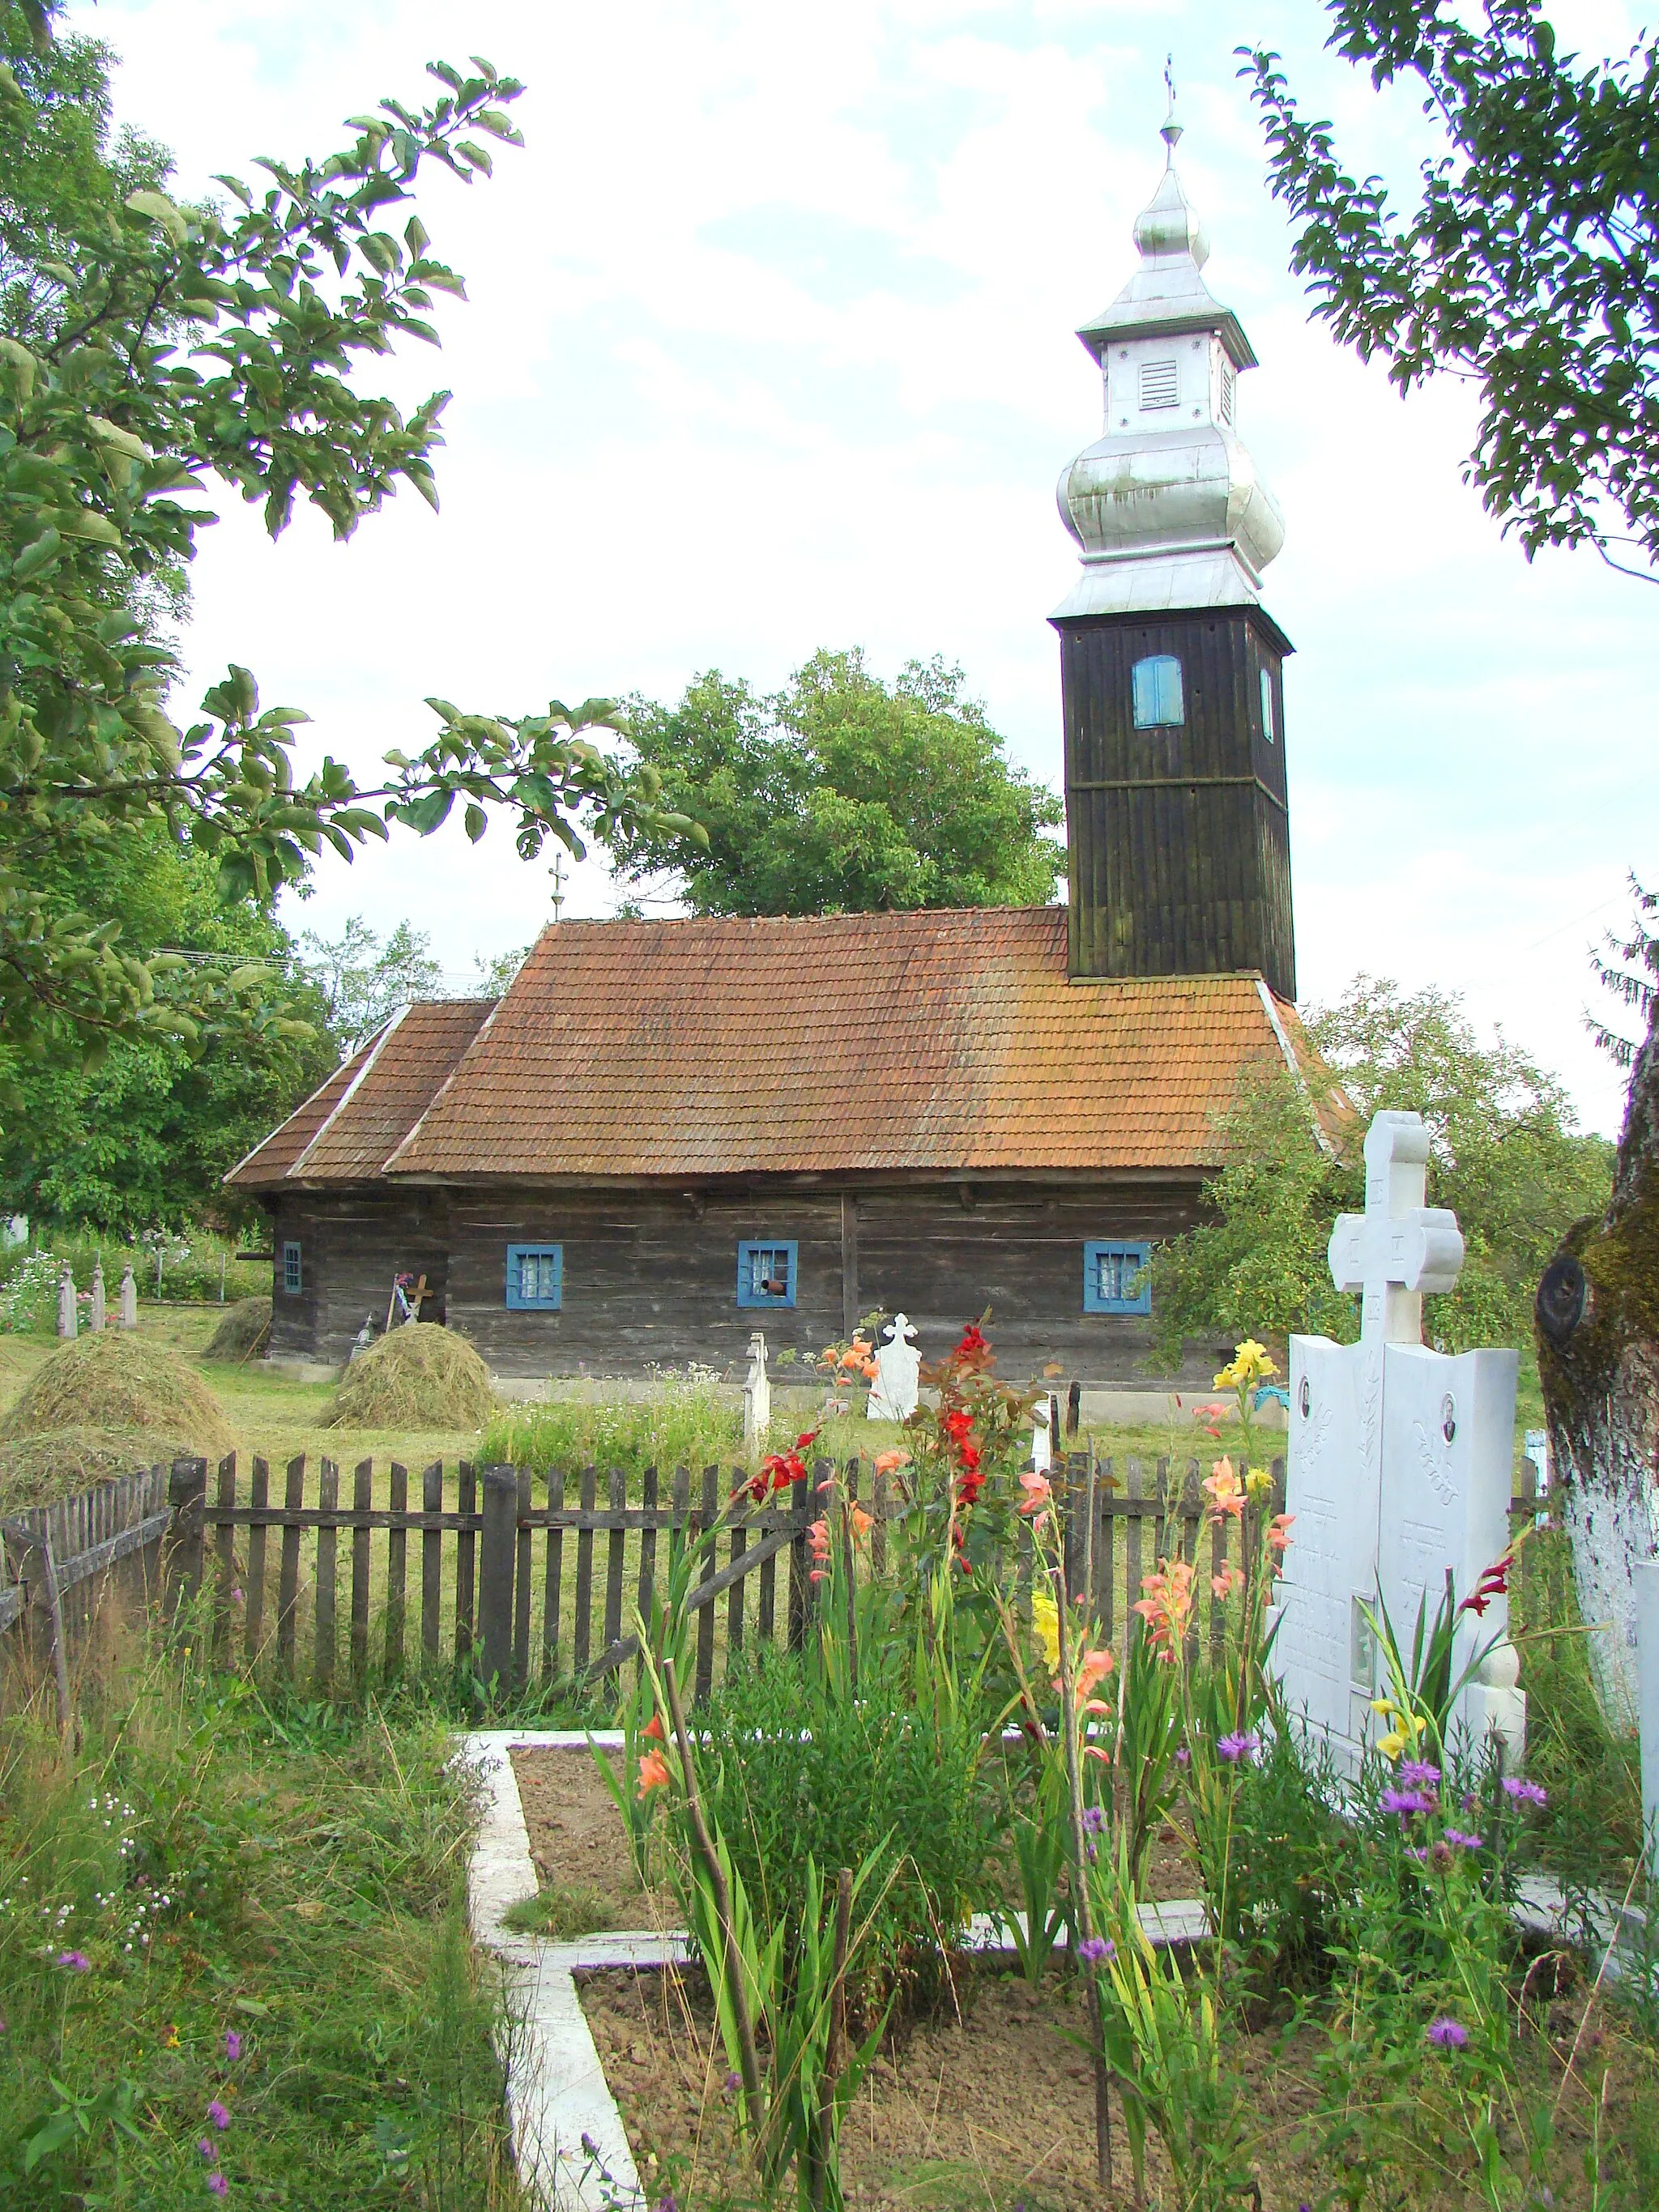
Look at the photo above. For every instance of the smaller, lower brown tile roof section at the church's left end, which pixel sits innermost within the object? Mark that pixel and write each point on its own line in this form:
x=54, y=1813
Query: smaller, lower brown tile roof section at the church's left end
x=371, y=1103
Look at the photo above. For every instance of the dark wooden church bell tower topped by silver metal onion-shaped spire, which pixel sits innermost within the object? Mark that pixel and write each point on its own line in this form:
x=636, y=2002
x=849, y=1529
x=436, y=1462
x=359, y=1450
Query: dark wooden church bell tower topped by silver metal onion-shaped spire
x=1176, y=727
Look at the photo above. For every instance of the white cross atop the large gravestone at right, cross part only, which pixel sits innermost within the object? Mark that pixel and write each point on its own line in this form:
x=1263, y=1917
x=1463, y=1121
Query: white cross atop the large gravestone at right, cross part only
x=1399, y=1246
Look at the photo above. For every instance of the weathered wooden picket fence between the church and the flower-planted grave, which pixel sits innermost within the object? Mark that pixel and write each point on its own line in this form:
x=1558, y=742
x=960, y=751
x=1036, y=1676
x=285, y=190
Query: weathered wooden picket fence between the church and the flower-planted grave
x=528, y=1592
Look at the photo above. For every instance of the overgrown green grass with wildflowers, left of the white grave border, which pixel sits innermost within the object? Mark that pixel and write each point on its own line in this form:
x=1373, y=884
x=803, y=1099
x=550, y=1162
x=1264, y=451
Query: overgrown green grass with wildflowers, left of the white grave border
x=227, y=1868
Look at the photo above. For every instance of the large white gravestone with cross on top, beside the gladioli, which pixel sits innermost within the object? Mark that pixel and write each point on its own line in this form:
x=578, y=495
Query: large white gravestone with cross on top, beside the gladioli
x=1399, y=1465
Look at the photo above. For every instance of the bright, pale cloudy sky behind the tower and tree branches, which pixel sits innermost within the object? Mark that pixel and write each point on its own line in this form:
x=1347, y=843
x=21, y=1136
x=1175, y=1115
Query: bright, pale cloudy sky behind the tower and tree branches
x=771, y=346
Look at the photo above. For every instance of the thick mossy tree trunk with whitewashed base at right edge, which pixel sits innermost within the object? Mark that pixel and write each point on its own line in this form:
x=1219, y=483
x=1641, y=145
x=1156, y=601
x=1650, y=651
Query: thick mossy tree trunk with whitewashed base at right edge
x=1598, y=1357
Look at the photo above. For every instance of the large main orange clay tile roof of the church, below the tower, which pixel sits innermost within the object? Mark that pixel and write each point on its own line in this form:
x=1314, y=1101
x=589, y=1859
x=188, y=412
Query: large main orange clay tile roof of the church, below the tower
x=937, y=1041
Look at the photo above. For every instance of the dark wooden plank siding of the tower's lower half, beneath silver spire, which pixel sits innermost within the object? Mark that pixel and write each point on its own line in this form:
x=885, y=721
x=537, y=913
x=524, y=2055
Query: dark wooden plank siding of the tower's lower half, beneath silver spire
x=1180, y=837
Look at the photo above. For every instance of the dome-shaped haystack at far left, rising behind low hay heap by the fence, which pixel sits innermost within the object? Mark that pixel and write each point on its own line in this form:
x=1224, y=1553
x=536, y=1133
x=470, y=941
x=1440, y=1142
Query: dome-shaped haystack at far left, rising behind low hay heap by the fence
x=123, y=1381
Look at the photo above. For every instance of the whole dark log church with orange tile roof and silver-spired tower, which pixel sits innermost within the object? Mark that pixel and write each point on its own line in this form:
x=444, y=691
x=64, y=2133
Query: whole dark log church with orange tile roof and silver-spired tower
x=669, y=1134
